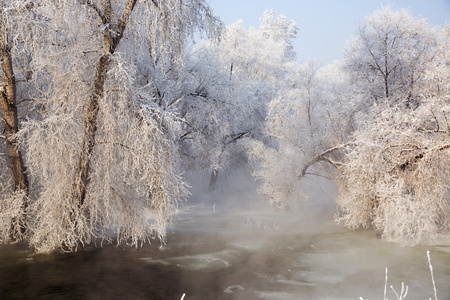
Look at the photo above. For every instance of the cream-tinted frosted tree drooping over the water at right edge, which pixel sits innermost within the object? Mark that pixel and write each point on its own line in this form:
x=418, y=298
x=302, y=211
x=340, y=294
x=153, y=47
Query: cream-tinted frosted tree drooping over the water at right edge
x=395, y=176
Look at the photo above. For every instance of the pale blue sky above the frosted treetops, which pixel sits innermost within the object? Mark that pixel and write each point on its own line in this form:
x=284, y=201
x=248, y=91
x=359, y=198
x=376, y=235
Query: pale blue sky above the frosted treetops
x=325, y=25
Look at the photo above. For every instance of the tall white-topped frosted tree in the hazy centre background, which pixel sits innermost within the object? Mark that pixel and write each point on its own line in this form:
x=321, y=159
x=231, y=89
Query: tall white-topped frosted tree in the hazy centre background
x=233, y=81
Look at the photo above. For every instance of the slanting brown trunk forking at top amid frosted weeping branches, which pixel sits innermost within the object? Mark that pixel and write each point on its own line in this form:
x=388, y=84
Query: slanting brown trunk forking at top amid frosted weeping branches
x=109, y=47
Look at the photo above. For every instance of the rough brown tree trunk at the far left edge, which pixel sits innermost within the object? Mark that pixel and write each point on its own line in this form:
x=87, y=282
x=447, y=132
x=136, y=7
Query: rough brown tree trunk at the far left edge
x=8, y=104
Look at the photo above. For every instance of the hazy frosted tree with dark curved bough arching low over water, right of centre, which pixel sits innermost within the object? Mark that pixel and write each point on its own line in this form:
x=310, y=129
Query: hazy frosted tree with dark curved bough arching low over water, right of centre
x=310, y=122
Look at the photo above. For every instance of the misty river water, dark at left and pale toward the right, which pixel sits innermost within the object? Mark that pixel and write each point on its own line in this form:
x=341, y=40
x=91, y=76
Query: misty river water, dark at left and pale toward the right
x=230, y=244
